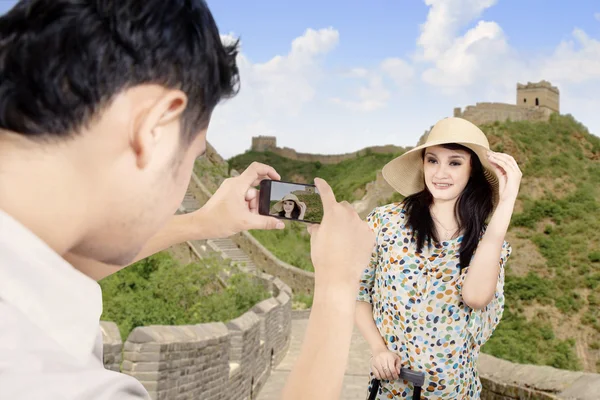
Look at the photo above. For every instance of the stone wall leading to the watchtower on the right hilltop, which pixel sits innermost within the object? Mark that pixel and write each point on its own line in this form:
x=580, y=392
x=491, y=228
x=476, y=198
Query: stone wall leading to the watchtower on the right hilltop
x=485, y=113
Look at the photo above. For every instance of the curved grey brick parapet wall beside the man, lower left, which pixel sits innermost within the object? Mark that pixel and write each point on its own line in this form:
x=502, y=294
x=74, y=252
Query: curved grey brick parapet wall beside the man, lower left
x=213, y=361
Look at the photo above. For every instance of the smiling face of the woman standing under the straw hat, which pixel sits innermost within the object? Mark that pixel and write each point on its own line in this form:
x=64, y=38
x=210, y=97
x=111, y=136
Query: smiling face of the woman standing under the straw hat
x=447, y=172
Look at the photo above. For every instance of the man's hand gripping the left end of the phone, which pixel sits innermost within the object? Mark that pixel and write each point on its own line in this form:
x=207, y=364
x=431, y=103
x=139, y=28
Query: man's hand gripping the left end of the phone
x=234, y=206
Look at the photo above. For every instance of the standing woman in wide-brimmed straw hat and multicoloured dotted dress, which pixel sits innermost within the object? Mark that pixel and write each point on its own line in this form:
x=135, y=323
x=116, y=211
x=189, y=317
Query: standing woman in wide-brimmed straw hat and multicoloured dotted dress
x=433, y=292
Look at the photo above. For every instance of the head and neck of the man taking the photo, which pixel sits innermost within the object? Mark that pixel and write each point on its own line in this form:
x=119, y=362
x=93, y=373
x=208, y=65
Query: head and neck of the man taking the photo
x=112, y=97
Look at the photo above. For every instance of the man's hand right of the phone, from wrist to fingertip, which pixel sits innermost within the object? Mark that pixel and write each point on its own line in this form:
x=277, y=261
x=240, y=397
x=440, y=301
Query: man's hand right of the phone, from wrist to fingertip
x=341, y=245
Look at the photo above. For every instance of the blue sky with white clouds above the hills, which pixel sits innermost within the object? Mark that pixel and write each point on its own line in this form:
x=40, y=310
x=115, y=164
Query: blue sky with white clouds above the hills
x=335, y=76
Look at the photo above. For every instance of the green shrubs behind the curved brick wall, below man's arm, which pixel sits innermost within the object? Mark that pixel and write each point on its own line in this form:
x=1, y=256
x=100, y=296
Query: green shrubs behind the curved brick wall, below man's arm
x=159, y=291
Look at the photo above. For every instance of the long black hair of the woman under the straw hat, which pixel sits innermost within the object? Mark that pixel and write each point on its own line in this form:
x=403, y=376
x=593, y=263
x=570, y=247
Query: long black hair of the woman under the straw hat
x=471, y=211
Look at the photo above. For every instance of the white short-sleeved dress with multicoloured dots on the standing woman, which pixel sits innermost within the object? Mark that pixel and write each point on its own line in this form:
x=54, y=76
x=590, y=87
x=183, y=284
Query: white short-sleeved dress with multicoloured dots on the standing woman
x=419, y=312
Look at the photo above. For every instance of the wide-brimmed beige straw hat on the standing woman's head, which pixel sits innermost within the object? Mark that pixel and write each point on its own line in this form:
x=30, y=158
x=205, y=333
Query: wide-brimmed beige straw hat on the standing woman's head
x=405, y=173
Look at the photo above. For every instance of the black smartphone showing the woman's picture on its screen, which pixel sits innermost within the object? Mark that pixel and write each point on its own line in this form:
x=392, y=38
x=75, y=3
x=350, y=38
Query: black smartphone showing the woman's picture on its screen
x=291, y=201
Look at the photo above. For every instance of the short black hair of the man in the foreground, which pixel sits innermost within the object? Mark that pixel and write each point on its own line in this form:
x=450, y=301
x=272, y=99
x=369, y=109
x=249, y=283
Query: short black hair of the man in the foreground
x=63, y=61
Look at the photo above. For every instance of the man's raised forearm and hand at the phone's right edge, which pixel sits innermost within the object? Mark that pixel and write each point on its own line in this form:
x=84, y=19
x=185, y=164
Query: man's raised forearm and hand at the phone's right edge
x=341, y=248
